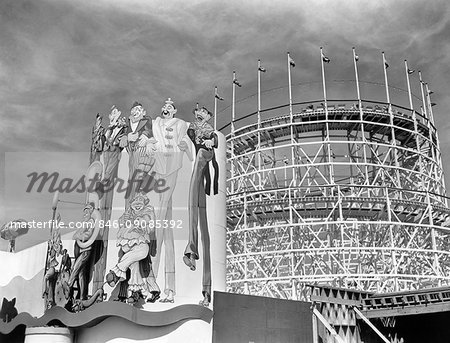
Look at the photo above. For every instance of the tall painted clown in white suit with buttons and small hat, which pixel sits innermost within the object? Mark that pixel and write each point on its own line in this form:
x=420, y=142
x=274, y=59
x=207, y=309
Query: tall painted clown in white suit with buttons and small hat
x=170, y=144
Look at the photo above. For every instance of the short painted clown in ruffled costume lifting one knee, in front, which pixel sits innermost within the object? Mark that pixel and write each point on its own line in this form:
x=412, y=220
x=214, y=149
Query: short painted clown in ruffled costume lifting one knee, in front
x=137, y=242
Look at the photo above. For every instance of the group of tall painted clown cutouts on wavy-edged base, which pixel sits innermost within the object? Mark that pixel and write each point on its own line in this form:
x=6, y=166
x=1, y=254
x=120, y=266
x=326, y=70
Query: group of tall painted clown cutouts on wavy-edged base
x=181, y=158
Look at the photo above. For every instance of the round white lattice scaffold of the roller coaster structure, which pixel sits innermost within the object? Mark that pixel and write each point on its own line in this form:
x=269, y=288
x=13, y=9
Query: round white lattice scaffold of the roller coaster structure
x=350, y=195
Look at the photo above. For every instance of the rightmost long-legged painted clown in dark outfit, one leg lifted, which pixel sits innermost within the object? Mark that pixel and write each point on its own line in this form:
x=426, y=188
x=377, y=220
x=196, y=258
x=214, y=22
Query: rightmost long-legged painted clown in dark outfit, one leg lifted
x=205, y=141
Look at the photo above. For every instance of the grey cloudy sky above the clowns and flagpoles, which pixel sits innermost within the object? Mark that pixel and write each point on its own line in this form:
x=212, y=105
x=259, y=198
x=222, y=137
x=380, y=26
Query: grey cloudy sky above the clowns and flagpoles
x=61, y=62
